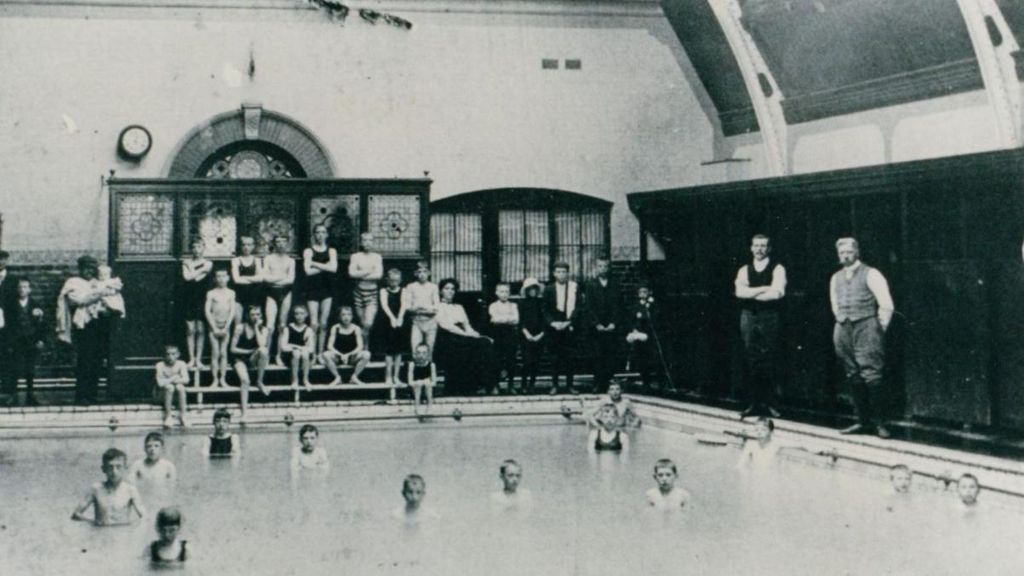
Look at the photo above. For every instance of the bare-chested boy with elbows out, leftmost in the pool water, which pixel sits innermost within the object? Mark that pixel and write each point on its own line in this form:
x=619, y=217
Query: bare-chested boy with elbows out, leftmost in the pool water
x=114, y=502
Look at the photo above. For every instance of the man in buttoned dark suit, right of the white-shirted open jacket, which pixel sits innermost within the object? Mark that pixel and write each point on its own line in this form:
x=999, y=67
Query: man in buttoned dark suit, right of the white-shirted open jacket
x=605, y=321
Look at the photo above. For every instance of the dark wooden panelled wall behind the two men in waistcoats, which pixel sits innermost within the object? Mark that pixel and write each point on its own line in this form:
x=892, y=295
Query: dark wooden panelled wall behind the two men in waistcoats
x=947, y=234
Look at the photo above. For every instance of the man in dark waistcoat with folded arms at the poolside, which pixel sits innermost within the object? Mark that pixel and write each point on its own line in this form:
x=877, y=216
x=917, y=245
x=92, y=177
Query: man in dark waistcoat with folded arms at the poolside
x=760, y=289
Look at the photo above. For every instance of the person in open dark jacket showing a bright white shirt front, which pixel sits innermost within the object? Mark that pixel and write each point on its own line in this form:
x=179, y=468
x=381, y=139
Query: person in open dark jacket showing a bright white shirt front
x=562, y=302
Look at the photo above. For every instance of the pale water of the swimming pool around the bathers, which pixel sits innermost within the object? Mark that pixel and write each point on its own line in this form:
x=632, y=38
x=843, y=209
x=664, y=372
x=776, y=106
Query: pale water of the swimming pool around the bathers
x=253, y=517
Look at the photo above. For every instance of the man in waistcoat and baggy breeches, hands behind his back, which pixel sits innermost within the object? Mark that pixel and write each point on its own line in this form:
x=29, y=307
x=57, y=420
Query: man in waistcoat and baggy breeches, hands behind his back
x=864, y=308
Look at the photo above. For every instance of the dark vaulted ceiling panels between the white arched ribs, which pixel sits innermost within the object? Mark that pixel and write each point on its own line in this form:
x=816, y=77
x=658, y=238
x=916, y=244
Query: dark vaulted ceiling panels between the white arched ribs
x=832, y=58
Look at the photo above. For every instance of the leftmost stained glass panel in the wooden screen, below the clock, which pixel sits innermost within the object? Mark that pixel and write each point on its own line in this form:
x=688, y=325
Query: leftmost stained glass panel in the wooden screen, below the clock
x=146, y=225
